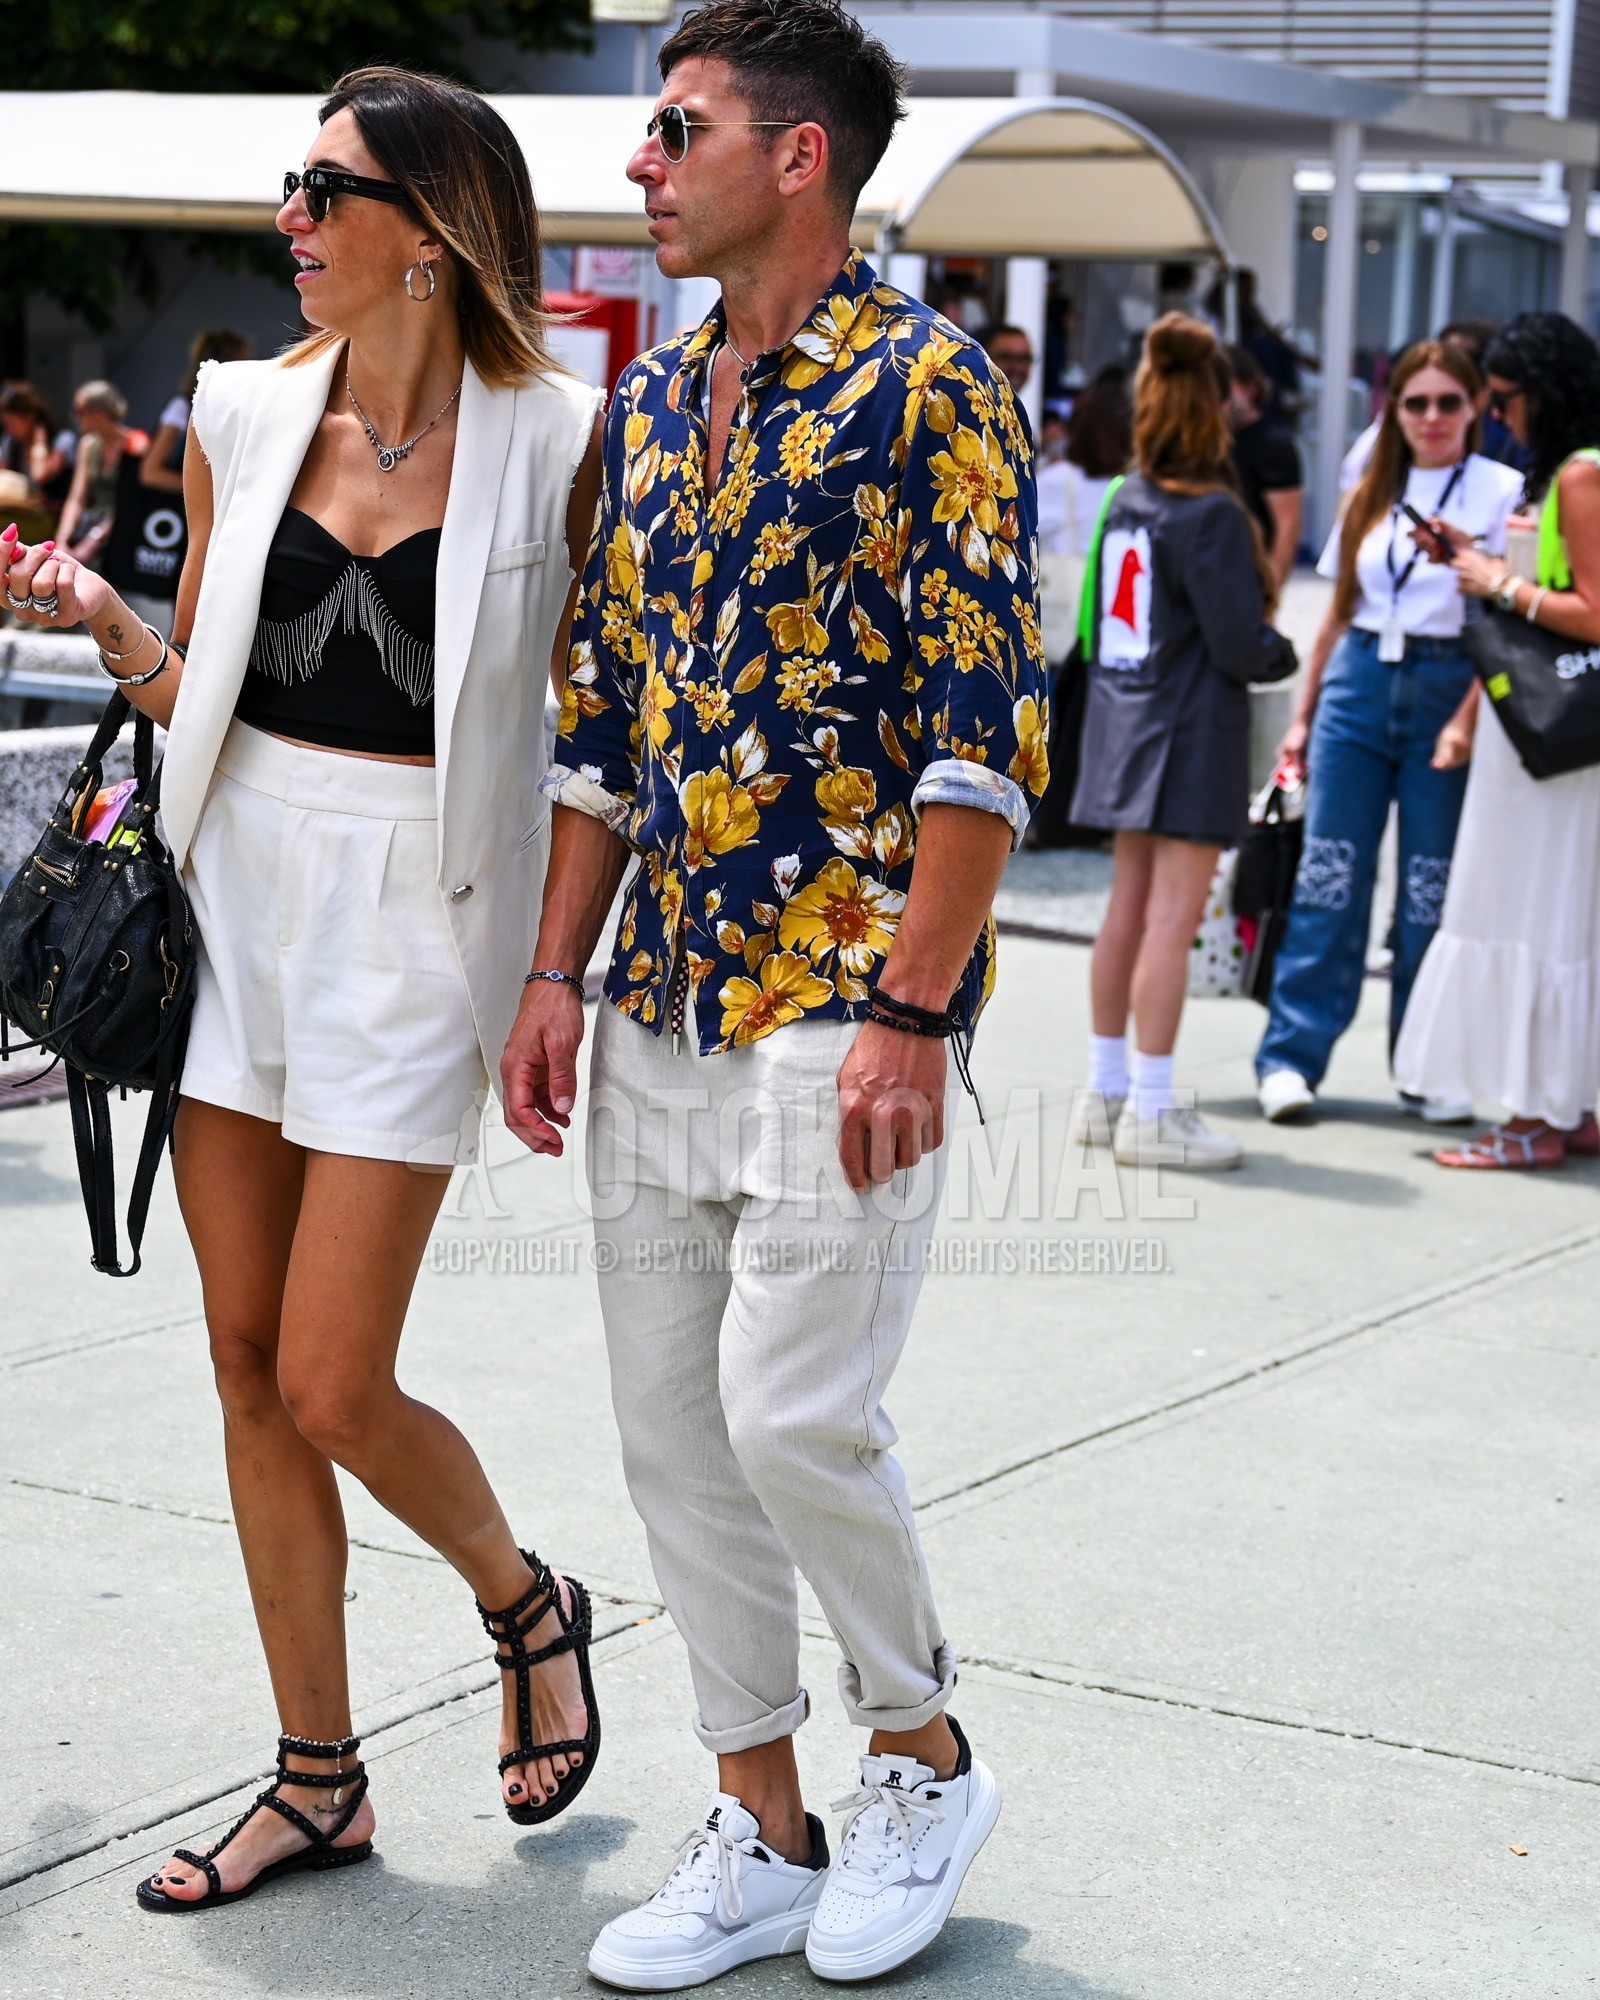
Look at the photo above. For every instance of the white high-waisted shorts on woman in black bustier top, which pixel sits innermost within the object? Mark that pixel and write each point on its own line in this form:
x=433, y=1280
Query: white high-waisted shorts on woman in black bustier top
x=331, y=999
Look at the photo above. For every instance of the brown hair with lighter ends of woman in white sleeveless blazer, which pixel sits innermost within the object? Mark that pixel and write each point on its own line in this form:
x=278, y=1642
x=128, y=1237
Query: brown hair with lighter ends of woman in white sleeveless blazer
x=469, y=187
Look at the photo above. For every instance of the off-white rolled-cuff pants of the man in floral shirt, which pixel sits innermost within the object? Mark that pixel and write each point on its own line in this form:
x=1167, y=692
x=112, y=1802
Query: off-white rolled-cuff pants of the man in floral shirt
x=755, y=1313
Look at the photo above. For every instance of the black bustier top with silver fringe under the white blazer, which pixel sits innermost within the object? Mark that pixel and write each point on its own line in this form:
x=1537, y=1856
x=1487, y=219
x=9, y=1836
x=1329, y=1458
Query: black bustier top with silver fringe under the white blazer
x=345, y=645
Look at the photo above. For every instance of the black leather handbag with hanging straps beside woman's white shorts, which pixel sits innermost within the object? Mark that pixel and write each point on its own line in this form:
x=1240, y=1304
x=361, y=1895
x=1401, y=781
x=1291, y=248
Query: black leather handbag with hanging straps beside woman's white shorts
x=97, y=969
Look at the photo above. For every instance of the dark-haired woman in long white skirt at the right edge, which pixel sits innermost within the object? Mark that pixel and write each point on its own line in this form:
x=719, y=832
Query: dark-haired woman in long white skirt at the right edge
x=1507, y=1007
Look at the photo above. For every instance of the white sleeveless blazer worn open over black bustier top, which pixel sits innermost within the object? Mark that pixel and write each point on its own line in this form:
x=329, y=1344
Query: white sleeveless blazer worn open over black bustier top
x=503, y=583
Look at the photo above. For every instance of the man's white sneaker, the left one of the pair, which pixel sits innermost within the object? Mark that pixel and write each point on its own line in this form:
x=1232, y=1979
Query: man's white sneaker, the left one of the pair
x=729, y=1899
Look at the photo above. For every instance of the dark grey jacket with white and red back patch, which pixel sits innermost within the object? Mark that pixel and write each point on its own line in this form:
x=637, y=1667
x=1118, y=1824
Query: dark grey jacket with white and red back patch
x=1179, y=641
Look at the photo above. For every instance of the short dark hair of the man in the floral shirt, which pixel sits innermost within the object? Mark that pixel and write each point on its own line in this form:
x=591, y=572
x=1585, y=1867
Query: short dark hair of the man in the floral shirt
x=807, y=61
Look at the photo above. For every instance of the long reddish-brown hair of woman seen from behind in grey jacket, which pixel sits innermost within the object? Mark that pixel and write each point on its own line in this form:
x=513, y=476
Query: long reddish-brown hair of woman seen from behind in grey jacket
x=1181, y=425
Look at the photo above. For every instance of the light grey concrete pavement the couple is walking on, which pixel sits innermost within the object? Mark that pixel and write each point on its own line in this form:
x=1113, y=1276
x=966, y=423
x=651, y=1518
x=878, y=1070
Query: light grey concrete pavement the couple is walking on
x=1267, y=1535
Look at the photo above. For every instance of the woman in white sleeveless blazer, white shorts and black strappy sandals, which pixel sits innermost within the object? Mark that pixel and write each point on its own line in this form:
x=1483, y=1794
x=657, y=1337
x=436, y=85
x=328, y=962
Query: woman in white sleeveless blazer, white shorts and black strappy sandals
x=383, y=535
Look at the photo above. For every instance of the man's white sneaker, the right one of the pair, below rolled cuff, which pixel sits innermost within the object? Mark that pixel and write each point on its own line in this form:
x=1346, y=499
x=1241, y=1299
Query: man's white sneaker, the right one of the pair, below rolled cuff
x=909, y=1841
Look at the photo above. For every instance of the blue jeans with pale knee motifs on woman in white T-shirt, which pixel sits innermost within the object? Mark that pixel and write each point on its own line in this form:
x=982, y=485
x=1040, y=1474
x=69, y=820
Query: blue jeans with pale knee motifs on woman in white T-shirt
x=1373, y=741
